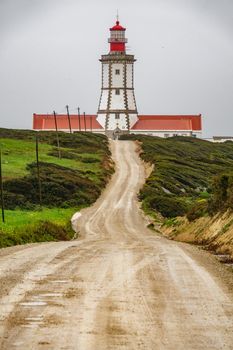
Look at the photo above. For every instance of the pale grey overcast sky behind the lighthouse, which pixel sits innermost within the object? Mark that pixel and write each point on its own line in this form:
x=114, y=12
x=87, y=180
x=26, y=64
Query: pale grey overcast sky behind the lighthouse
x=49, y=52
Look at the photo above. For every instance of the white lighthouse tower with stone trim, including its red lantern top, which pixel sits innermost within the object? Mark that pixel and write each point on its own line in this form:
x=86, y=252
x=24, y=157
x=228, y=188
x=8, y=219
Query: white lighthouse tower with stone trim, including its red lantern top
x=117, y=111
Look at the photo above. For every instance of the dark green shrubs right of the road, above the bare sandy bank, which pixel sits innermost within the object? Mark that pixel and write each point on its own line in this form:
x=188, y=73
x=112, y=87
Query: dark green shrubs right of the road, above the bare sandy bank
x=190, y=176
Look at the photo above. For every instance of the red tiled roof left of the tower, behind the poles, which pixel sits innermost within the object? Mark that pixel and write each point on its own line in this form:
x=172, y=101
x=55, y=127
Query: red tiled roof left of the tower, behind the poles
x=47, y=122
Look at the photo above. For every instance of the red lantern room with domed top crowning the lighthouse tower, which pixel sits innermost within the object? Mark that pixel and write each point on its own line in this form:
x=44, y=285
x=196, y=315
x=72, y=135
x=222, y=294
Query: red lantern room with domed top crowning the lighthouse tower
x=117, y=40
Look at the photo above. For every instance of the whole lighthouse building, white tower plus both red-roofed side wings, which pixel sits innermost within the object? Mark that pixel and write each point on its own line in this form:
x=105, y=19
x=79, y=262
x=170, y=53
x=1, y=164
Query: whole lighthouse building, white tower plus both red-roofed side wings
x=117, y=112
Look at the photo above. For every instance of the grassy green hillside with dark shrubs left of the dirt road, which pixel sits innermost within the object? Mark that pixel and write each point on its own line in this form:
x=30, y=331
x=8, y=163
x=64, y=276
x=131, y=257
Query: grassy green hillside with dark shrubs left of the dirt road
x=67, y=184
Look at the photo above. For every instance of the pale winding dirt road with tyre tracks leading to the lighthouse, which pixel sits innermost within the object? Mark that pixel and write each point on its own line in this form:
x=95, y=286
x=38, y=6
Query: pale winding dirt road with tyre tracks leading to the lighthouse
x=119, y=287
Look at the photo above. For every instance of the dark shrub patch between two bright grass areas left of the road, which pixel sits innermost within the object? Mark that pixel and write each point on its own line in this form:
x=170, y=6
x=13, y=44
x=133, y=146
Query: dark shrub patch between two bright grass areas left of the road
x=59, y=187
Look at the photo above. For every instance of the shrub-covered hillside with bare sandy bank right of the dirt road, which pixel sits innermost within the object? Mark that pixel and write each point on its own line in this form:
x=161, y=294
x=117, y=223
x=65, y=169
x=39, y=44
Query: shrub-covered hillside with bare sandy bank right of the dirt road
x=191, y=186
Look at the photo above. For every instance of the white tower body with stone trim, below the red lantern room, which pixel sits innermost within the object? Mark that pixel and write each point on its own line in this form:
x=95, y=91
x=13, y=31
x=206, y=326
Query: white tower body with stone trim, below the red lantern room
x=117, y=107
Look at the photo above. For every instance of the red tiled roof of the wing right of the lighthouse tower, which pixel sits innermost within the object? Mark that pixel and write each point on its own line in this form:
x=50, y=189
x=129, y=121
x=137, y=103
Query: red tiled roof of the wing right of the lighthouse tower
x=168, y=122
